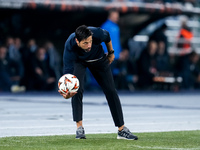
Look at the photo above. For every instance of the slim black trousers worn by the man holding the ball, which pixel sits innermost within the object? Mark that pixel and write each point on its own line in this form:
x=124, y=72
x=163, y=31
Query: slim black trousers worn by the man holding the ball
x=103, y=75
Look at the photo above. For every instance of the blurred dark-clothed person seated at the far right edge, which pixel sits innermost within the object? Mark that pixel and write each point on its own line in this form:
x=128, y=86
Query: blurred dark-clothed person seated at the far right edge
x=189, y=70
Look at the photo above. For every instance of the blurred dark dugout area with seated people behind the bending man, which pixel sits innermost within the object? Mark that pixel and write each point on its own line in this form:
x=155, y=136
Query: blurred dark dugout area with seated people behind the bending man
x=156, y=42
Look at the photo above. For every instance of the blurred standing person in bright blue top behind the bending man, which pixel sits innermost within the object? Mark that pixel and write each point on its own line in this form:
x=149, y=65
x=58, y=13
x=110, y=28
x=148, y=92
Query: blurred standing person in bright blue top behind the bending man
x=113, y=28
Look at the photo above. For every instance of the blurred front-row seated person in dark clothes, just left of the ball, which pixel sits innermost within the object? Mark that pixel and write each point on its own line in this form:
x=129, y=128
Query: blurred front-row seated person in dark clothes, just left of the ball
x=42, y=76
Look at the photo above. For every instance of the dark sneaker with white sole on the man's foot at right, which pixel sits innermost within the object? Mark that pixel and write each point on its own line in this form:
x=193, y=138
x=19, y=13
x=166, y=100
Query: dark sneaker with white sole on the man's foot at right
x=126, y=134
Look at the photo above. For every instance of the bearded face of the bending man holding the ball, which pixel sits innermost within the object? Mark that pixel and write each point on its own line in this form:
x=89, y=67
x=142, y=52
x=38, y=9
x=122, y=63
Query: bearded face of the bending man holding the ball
x=85, y=44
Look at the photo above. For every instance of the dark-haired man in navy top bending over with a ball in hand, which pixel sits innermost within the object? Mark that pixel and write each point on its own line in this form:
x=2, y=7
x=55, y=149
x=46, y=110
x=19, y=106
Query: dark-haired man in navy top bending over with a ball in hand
x=83, y=50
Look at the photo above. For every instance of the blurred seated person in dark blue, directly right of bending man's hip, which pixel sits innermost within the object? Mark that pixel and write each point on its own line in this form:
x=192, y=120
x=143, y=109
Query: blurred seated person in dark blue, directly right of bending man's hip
x=125, y=72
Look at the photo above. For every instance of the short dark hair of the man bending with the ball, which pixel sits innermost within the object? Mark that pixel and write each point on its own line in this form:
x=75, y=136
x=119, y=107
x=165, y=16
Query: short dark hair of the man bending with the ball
x=82, y=32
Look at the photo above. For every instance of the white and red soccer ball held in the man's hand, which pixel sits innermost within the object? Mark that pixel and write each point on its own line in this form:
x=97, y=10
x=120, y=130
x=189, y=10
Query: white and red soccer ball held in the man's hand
x=68, y=83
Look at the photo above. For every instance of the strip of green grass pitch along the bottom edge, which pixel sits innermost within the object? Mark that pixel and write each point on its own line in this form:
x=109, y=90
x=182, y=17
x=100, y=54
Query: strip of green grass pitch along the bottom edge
x=176, y=140
